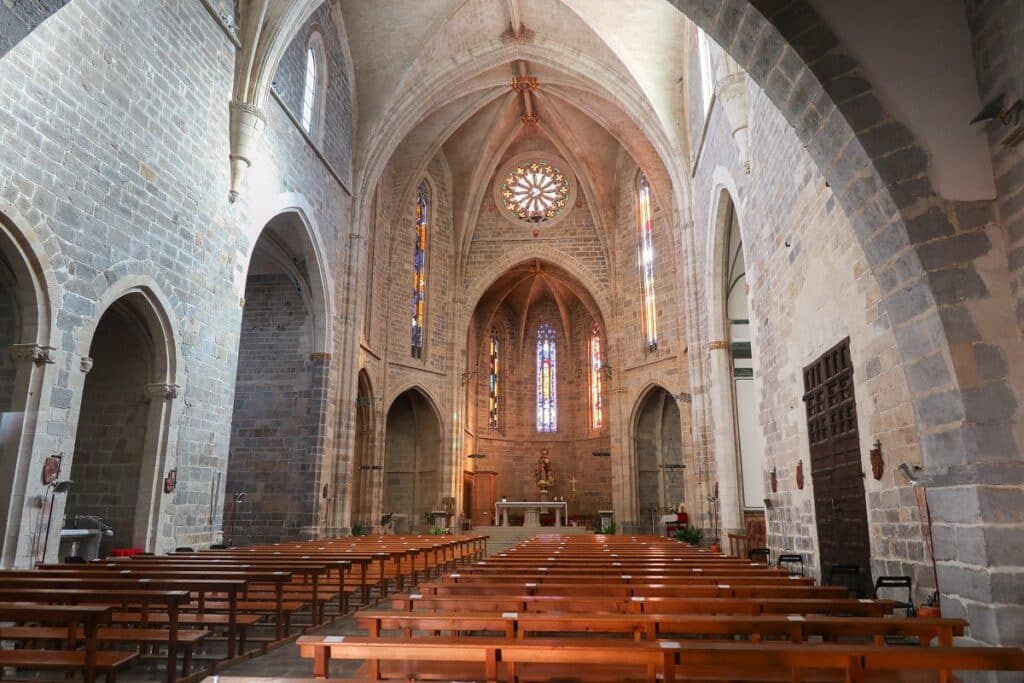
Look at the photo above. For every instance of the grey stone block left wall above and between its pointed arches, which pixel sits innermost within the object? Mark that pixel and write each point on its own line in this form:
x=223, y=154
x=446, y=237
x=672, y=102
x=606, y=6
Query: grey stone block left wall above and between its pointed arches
x=114, y=140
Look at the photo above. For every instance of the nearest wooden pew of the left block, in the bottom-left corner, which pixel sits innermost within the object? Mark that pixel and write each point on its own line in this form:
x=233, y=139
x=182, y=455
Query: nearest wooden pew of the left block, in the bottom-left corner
x=74, y=619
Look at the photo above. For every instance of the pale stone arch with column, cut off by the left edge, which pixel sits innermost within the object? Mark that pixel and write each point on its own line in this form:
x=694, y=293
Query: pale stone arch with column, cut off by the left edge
x=26, y=319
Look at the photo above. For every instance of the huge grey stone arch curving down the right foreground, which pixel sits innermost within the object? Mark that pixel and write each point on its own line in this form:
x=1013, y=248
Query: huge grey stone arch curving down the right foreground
x=883, y=188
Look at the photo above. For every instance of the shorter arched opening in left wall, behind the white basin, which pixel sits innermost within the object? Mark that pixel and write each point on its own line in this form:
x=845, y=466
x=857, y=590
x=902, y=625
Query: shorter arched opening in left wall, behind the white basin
x=123, y=423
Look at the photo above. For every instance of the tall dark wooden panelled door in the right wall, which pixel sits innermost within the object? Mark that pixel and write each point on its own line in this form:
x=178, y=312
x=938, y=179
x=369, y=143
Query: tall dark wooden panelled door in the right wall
x=836, y=468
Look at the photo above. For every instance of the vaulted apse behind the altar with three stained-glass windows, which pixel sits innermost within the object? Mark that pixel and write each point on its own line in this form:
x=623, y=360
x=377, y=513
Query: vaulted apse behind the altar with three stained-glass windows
x=538, y=382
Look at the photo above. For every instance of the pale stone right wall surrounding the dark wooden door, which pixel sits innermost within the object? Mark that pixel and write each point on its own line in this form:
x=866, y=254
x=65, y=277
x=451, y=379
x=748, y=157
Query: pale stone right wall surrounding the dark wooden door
x=803, y=261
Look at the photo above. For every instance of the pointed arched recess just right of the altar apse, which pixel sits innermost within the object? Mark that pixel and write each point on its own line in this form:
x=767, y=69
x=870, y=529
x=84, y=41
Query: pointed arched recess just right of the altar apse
x=658, y=447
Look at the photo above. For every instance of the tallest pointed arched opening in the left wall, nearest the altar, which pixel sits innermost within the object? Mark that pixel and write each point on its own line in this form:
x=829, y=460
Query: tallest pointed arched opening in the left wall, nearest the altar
x=281, y=387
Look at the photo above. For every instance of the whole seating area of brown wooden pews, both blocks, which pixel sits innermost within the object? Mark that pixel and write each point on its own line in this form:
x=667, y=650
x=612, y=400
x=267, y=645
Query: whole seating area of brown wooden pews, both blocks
x=552, y=609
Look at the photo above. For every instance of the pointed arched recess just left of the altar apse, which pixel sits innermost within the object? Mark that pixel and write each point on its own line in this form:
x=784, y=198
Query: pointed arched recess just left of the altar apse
x=412, y=461
